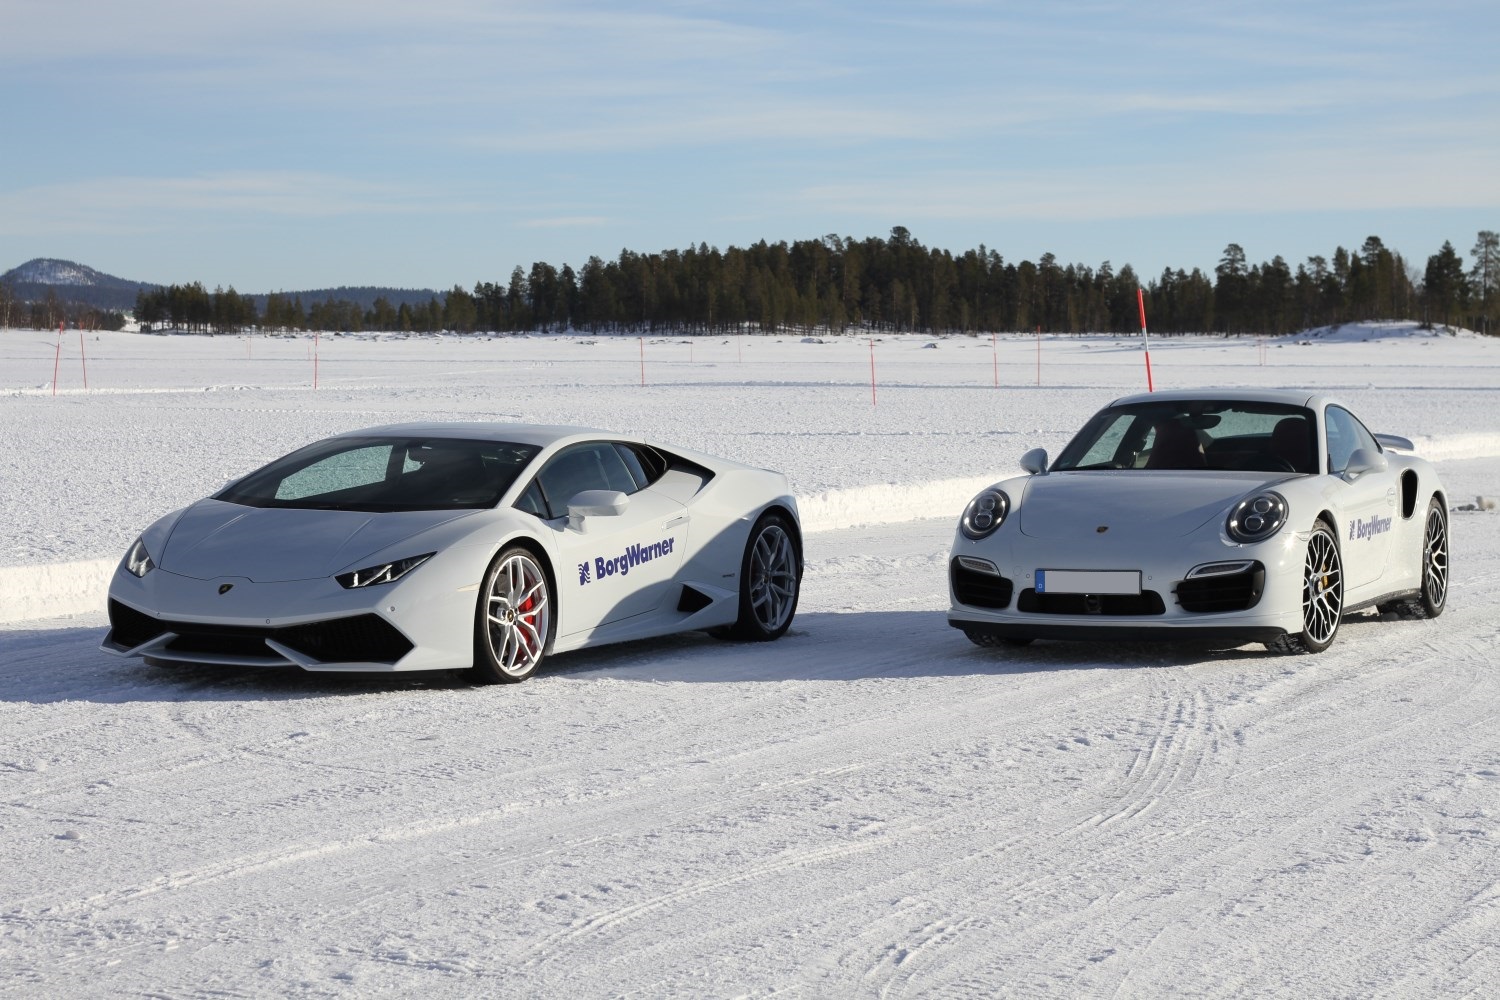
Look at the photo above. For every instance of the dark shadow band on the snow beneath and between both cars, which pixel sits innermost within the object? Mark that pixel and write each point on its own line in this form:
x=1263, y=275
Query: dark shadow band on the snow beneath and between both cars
x=67, y=665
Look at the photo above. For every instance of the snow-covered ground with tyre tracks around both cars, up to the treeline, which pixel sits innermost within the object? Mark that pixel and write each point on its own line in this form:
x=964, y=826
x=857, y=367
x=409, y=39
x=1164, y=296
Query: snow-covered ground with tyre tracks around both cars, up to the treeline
x=871, y=807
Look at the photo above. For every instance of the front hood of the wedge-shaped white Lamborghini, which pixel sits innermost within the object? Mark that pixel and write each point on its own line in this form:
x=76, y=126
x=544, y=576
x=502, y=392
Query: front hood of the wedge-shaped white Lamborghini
x=272, y=545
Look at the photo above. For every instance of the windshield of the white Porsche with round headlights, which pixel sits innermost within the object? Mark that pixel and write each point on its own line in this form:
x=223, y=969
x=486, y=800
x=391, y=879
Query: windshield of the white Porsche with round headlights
x=1198, y=434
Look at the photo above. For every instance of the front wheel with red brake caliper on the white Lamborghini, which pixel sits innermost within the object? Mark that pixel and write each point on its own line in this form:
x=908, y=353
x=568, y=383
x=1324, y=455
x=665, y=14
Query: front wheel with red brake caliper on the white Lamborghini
x=514, y=621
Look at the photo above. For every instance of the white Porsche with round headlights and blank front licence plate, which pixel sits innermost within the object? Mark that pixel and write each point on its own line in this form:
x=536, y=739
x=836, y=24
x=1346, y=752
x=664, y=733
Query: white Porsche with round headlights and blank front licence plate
x=1226, y=515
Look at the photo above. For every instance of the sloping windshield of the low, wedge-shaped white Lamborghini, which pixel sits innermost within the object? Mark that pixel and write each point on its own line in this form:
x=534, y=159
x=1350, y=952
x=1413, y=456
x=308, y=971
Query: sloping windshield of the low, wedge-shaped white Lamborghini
x=386, y=475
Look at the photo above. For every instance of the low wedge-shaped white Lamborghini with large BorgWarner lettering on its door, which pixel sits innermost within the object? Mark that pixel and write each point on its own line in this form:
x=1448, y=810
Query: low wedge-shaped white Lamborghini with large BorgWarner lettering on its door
x=461, y=546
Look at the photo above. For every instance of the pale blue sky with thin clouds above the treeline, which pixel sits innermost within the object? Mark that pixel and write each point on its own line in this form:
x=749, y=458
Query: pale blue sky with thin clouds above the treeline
x=281, y=146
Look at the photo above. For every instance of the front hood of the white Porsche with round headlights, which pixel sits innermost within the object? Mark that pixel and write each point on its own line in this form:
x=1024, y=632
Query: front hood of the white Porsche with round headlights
x=1144, y=504
